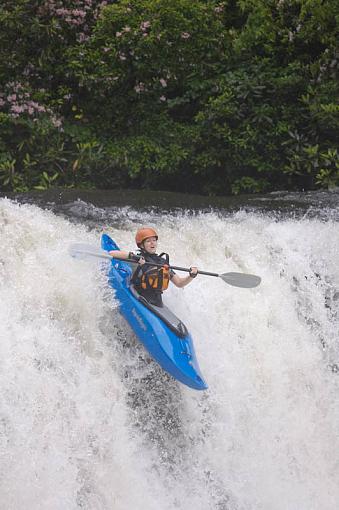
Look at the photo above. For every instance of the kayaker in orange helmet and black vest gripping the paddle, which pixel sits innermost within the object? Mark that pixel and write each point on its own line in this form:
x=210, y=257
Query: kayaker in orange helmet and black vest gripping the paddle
x=151, y=281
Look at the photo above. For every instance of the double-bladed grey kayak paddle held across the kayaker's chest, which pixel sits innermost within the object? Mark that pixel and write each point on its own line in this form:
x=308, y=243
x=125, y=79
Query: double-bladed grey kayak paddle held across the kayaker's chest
x=246, y=281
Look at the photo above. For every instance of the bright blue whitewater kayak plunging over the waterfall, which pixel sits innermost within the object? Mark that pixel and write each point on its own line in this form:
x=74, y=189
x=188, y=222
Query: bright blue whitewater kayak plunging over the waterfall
x=164, y=335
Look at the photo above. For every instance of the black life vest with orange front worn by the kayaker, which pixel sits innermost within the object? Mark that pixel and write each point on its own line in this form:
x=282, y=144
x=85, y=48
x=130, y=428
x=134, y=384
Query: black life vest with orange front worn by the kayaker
x=152, y=278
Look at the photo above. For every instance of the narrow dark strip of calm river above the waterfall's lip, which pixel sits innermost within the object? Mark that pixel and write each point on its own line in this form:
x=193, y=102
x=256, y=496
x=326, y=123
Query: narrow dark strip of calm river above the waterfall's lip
x=287, y=203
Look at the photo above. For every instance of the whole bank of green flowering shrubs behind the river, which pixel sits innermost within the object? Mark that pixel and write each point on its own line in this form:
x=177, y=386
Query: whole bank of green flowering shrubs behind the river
x=205, y=96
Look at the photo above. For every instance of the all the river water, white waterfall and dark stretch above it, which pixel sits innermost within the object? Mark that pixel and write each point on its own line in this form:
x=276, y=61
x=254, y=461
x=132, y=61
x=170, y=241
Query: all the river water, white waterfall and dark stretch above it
x=88, y=421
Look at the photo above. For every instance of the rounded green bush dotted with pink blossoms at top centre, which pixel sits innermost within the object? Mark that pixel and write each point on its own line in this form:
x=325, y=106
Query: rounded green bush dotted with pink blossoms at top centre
x=148, y=57
